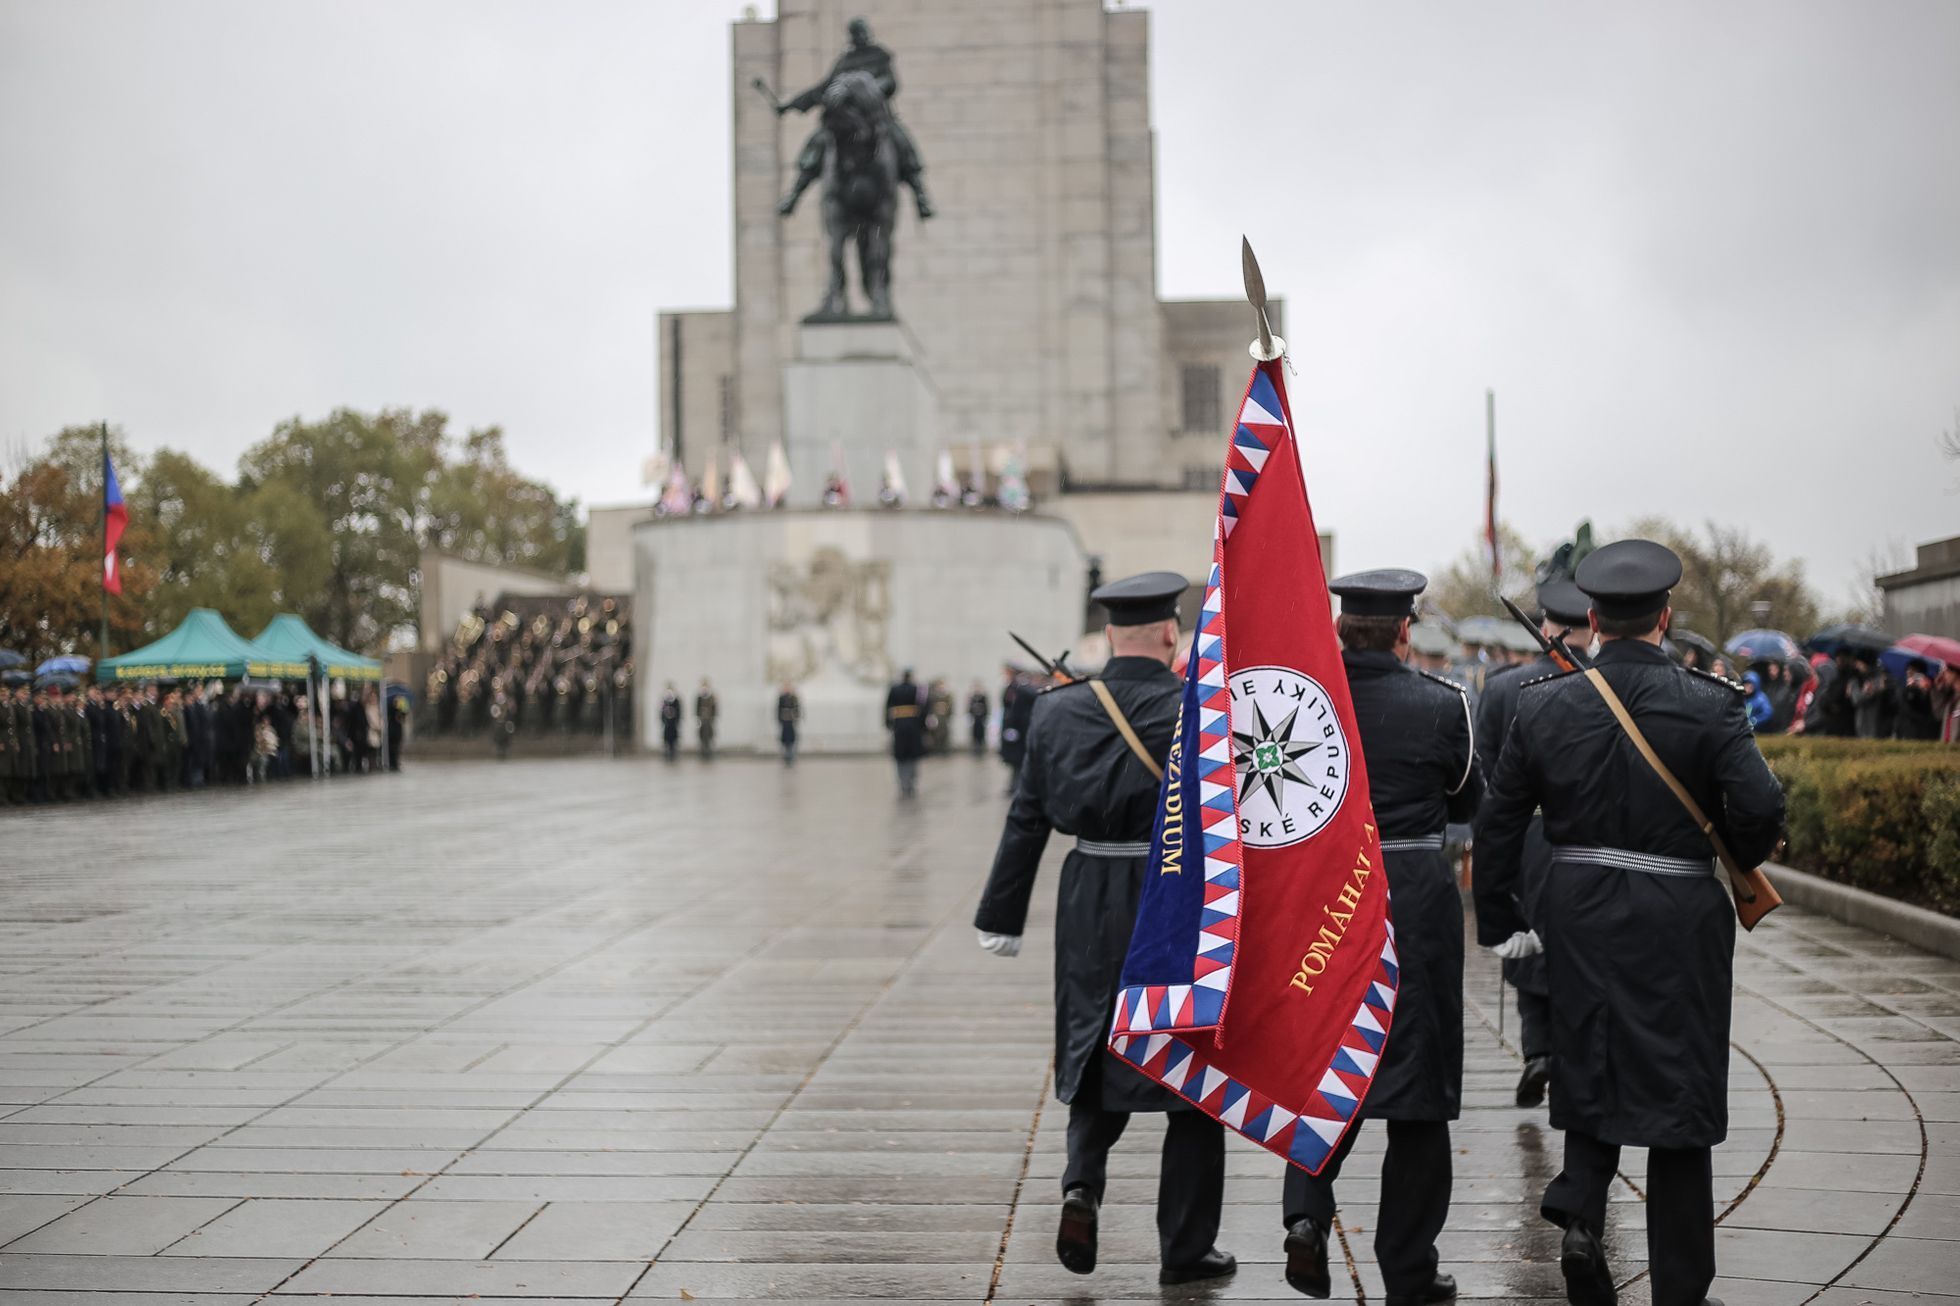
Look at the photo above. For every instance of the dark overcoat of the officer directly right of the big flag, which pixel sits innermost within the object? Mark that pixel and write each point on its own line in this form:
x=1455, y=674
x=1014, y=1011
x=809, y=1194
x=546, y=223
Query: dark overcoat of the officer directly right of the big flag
x=1422, y=776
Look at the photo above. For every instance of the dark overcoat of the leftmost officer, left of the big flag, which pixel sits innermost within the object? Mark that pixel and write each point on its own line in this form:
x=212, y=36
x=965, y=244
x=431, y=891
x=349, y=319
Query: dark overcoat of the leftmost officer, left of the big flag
x=1081, y=779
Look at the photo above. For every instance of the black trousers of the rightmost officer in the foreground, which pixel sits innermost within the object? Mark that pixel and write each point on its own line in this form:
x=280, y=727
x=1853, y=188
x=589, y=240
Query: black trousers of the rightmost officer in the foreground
x=1681, y=1211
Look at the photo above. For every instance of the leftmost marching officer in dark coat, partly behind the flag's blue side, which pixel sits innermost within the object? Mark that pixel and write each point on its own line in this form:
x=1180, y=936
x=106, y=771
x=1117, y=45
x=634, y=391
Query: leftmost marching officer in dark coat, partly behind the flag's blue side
x=1085, y=781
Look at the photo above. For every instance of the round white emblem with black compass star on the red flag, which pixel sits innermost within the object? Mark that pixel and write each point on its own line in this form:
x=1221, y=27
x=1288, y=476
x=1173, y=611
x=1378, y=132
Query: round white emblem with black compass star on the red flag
x=1291, y=756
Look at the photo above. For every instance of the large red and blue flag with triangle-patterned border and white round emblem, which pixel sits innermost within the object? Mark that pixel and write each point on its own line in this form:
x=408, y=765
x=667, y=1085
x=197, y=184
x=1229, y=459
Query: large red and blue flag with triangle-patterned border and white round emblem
x=1261, y=979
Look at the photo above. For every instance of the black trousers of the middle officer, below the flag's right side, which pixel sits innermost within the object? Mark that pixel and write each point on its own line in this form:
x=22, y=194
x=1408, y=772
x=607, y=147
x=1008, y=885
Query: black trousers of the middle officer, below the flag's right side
x=1416, y=1199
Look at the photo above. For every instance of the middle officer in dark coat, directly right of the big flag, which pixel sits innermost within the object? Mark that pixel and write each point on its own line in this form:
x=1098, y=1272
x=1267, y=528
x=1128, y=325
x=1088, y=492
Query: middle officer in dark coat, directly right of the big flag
x=1422, y=776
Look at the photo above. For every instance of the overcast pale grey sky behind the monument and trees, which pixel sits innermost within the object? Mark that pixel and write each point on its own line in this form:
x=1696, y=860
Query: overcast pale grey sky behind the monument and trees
x=1706, y=254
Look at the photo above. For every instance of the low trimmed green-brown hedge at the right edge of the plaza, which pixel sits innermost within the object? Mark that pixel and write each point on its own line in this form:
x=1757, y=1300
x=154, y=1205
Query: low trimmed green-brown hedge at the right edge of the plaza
x=1875, y=815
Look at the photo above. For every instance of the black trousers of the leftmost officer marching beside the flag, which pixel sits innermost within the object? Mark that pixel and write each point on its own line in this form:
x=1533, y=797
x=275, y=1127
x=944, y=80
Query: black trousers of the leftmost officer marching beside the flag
x=1191, y=1183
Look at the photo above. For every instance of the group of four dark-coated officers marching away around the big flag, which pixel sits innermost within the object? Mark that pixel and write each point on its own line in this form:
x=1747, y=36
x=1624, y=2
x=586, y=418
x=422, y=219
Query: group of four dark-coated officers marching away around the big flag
x=1589, y=868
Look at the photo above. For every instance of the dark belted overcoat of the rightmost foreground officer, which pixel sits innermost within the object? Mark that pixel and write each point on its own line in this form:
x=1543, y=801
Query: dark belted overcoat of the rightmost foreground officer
x=1640, y=964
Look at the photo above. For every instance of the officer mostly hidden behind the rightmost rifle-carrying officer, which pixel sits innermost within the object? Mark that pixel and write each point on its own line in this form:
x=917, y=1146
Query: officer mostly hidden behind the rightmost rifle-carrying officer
x=1563, y=607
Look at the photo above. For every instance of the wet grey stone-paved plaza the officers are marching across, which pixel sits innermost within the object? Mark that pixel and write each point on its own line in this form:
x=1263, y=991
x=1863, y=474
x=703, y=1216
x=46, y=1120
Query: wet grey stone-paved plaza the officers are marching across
x=605, y=1032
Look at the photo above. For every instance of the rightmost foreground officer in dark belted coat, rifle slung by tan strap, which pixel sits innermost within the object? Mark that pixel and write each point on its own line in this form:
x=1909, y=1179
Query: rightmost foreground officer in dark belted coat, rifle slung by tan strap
x=1640, y=929
